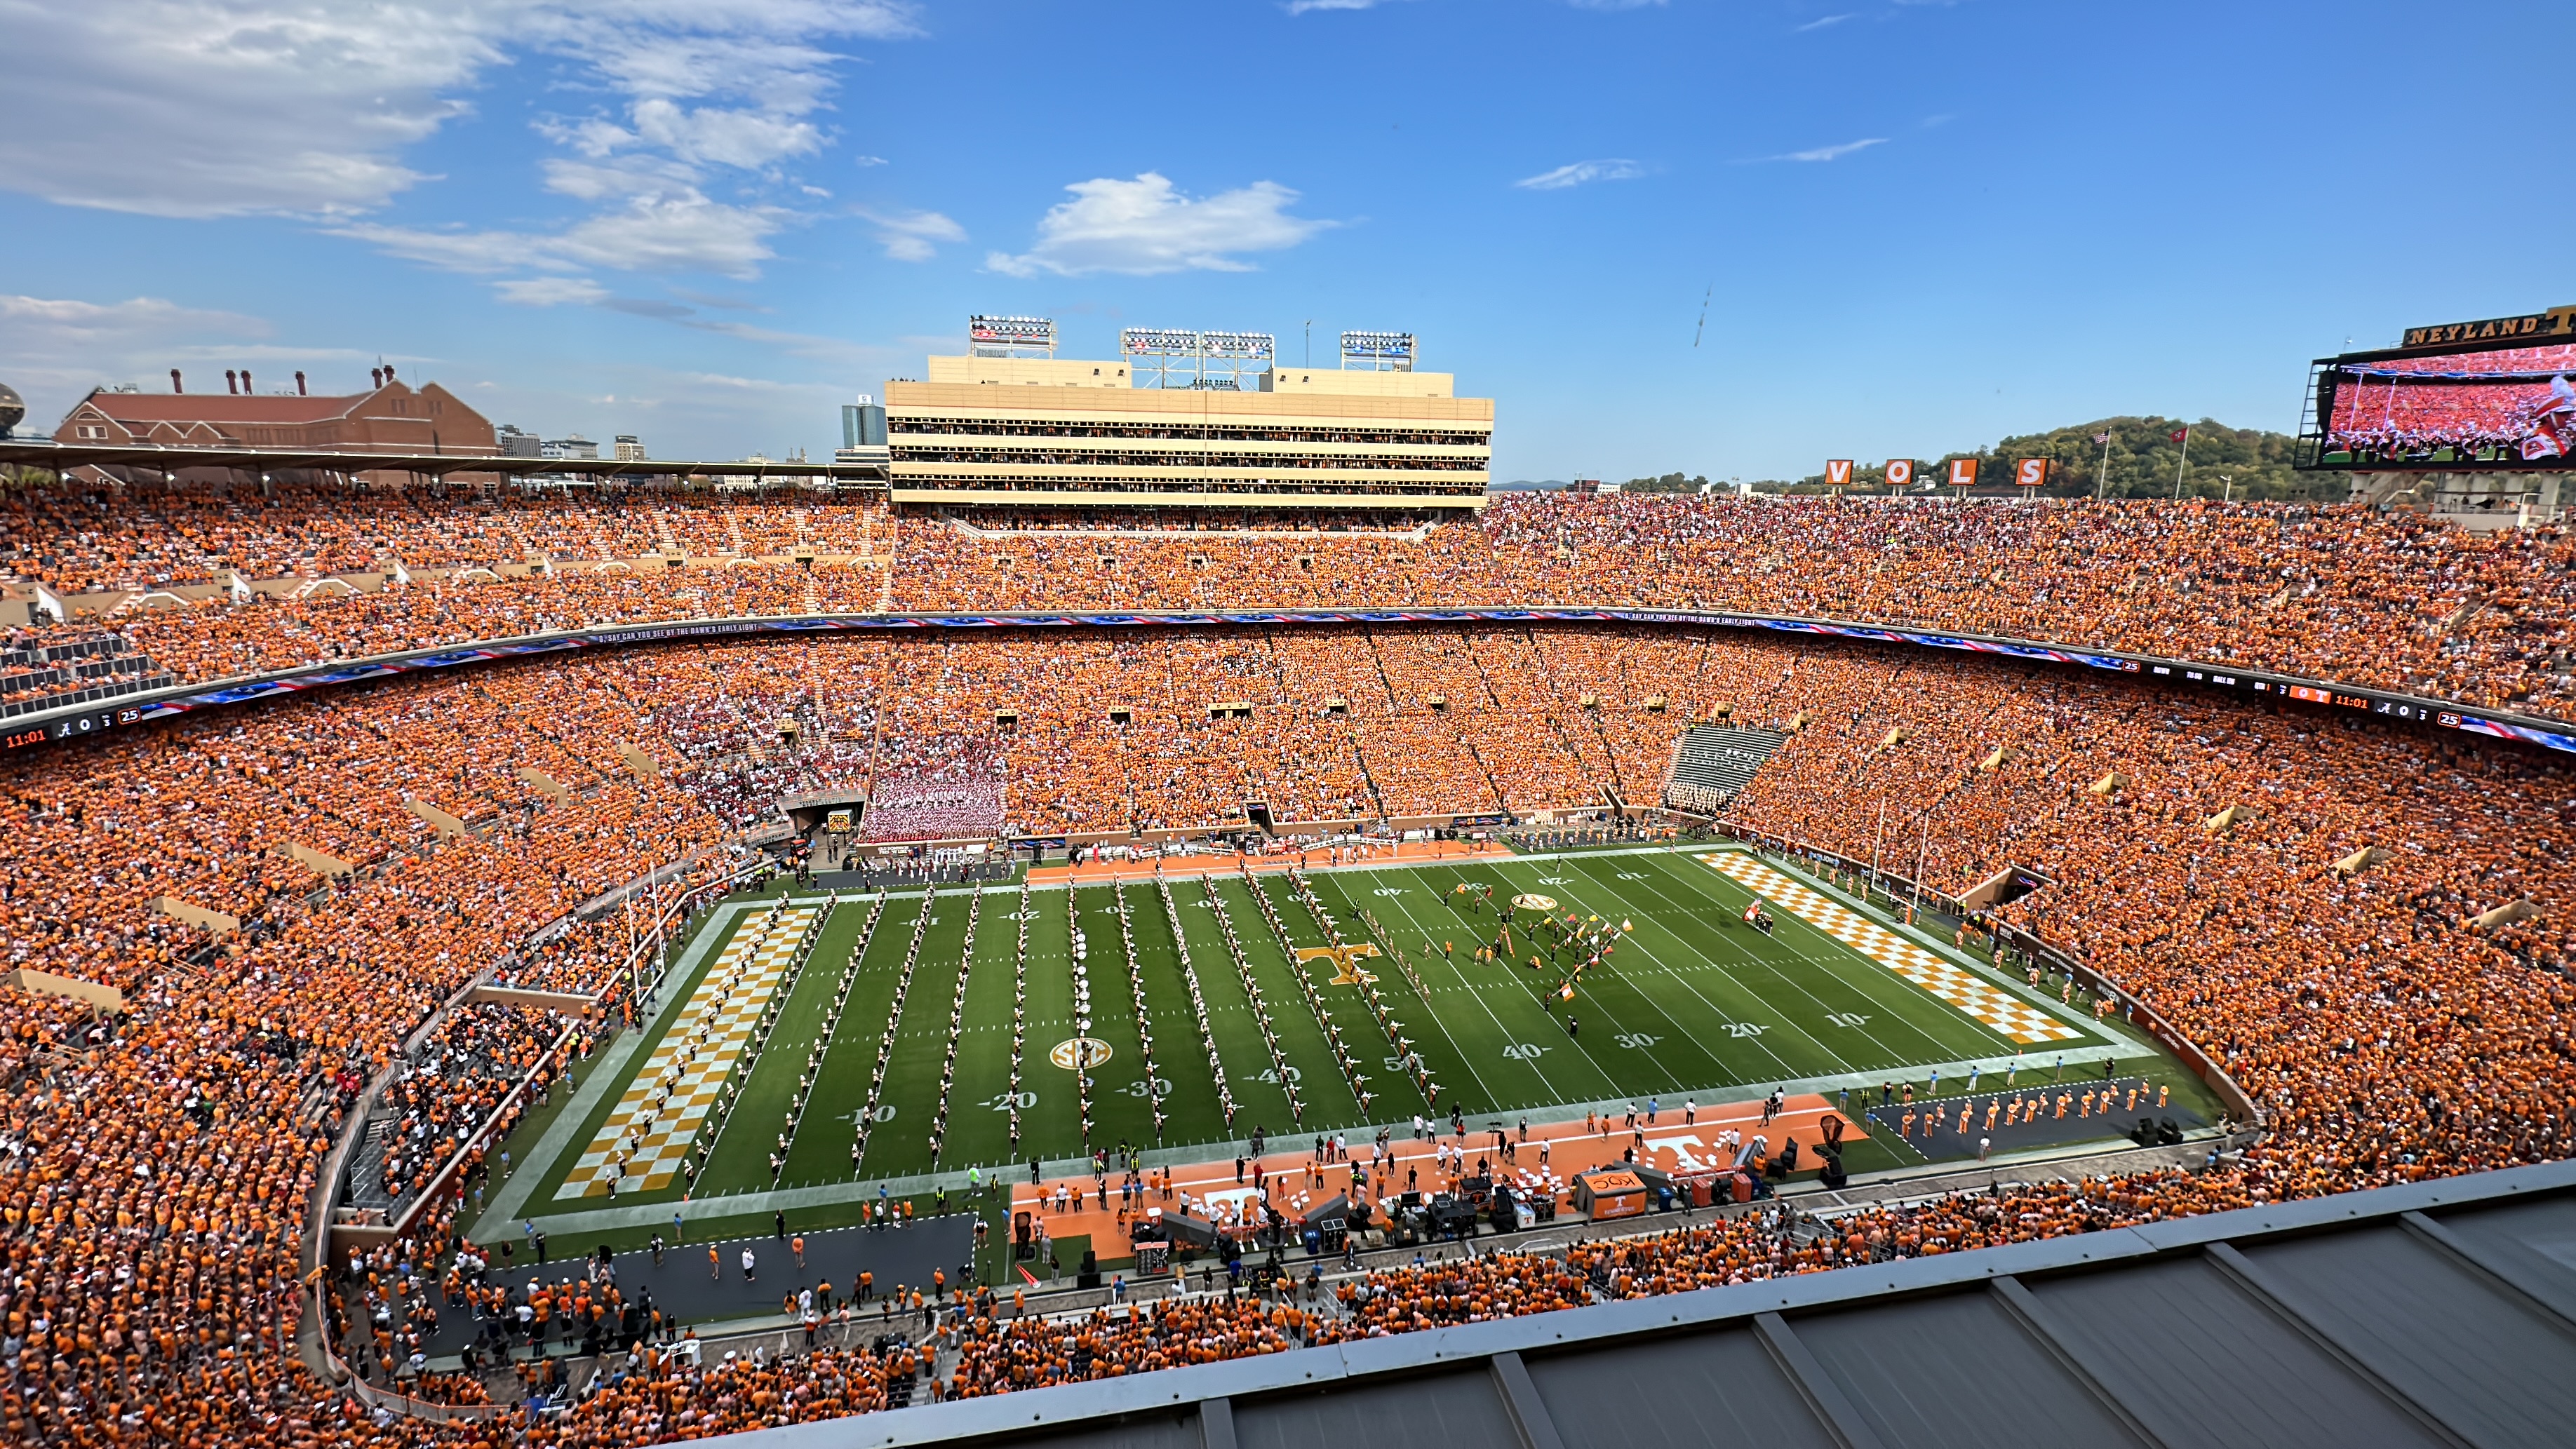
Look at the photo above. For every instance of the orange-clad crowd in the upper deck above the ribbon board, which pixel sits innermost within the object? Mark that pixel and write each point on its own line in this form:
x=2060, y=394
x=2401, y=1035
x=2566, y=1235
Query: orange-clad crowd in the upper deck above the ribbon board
x=2340, y=593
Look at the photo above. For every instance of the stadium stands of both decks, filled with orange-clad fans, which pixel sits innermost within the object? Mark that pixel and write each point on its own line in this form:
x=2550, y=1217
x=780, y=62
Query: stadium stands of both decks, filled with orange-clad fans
x=158, y=1165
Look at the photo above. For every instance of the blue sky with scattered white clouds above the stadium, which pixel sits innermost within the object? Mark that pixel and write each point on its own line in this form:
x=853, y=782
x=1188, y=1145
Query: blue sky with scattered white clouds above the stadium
x=1918, y=225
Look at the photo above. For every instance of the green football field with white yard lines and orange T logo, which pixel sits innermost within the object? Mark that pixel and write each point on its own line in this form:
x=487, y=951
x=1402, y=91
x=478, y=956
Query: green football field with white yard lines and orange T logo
x=1691, y=1005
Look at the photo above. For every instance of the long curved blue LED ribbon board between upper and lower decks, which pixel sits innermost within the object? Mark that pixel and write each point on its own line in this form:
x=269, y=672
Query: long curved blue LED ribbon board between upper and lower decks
x=89, y=719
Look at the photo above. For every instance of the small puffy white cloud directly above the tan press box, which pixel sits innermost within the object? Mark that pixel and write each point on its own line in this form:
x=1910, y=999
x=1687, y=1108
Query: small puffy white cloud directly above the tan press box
x=1148, y=228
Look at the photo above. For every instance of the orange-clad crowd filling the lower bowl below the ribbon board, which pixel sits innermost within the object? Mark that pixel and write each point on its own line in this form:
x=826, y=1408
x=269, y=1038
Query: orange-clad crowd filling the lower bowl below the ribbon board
x=161, y=1165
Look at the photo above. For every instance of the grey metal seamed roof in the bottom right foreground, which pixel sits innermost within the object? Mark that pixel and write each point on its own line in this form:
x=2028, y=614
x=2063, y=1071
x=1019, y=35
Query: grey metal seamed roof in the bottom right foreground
x=1776, y=1306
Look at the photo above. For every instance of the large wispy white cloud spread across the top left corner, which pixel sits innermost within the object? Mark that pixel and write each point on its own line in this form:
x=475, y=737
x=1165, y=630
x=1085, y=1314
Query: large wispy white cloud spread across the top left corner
x=243, y=107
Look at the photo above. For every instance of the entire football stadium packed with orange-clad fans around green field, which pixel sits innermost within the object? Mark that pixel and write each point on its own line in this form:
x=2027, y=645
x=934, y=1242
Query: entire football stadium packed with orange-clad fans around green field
x=1194, y=918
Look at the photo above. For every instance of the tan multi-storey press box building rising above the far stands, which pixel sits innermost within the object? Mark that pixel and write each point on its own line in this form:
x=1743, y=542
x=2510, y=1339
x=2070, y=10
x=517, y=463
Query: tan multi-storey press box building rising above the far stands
x=1184, y=421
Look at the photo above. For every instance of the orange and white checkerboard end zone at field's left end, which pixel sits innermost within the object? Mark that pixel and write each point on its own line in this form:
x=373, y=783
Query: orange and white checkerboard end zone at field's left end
x=694, y=1059
